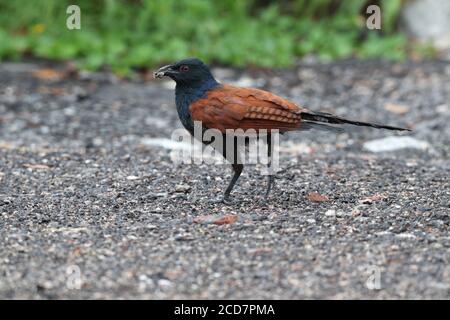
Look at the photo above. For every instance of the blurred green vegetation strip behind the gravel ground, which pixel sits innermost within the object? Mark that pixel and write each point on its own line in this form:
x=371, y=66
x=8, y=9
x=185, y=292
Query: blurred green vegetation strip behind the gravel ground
x=143, y=33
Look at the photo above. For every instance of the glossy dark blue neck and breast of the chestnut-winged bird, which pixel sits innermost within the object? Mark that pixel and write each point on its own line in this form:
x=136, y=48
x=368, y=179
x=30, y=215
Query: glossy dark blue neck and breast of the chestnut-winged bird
x=186, y=94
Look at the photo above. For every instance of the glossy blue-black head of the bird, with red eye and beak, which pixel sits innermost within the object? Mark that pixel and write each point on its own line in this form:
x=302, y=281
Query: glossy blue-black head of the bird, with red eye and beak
x=191, y=71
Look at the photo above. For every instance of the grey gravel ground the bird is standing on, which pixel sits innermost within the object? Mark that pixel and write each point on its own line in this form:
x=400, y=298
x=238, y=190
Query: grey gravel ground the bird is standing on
x=92, y=206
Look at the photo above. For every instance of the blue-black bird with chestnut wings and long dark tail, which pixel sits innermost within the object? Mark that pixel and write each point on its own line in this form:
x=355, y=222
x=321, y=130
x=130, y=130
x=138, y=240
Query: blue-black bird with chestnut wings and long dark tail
x=200, y=97
